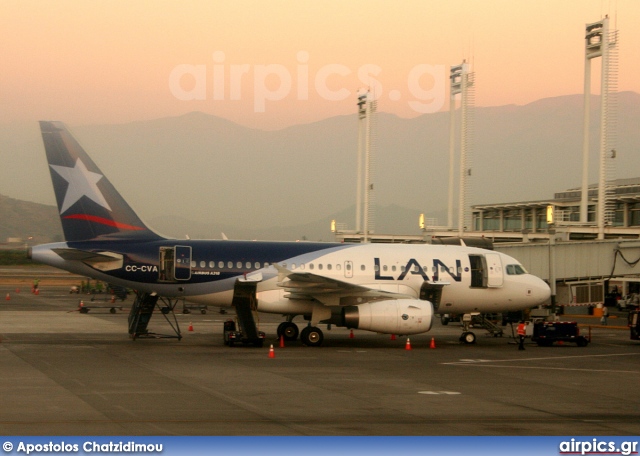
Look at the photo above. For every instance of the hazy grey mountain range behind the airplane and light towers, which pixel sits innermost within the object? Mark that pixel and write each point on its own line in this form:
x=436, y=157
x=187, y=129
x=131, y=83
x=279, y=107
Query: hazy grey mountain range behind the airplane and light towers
x=200, y=174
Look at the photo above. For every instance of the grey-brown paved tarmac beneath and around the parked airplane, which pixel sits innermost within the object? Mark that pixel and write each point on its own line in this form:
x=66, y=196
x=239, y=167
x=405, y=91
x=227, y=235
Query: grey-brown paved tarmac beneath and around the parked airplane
x=70, y=373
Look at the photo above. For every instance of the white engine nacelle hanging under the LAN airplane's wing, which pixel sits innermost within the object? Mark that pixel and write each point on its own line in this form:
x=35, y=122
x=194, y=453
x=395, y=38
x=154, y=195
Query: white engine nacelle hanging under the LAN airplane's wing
x=397, y=316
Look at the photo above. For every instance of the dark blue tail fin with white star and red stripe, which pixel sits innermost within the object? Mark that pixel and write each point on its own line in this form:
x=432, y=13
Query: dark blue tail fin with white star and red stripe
x=90, y=207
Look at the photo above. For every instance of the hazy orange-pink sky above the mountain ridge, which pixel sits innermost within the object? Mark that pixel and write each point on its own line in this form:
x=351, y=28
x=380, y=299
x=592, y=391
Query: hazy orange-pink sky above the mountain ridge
x=273, y=64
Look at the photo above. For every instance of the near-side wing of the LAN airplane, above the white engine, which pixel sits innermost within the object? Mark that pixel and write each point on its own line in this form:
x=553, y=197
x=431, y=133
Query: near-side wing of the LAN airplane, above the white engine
x=331, y=292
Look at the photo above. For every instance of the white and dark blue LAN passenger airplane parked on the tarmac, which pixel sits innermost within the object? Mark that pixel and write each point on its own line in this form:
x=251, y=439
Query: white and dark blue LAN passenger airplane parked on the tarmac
x=384, y=288
